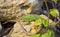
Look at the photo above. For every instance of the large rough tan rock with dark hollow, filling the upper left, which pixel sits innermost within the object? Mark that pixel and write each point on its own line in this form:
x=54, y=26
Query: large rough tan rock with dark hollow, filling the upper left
x=13, y=8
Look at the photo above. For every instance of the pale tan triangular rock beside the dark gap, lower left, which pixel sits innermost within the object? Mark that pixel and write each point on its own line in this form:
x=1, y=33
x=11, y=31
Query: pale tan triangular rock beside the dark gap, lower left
x=18, y=32
